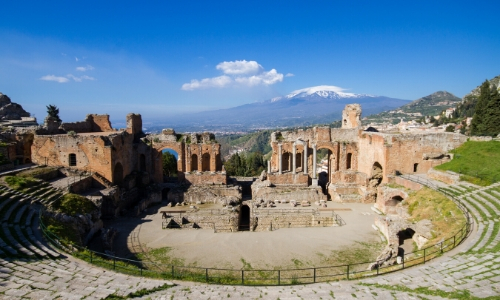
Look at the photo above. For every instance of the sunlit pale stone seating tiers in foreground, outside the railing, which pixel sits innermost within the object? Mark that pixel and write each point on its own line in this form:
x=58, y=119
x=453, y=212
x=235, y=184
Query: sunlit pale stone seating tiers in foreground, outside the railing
x=469, y=270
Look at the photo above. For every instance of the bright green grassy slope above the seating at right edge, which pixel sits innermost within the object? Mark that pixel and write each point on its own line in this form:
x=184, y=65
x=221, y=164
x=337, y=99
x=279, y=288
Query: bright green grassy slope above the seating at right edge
x=478, y=162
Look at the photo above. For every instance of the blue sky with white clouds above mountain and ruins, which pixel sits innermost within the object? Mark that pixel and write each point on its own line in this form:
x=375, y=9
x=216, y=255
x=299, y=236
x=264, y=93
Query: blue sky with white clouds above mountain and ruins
x=160, y=58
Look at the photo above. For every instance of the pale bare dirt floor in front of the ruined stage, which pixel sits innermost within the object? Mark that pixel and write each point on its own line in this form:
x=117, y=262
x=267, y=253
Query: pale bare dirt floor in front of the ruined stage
x=285, y=247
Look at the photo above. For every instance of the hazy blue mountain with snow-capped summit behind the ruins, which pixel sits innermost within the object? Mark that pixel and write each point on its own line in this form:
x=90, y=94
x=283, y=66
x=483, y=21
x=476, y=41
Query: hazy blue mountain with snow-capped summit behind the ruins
x=314, y=105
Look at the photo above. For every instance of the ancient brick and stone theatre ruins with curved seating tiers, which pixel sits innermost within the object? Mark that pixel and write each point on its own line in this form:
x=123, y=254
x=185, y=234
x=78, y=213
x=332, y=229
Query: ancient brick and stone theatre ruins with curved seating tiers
x=121, y=172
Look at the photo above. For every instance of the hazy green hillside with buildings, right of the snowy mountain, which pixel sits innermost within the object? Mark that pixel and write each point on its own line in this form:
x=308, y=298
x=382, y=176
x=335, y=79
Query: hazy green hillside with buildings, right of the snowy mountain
x=430, y=105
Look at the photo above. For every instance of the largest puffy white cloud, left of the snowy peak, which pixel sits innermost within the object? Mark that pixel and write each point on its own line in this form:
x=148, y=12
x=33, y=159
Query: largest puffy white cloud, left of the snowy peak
x=237, y=73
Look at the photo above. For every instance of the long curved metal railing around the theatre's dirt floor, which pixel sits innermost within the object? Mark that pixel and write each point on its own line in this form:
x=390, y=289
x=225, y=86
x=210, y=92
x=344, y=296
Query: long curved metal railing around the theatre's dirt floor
x=264, y=276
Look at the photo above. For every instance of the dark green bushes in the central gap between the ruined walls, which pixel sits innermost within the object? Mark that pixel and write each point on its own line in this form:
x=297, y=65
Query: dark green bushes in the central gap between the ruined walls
x=249, y=164
